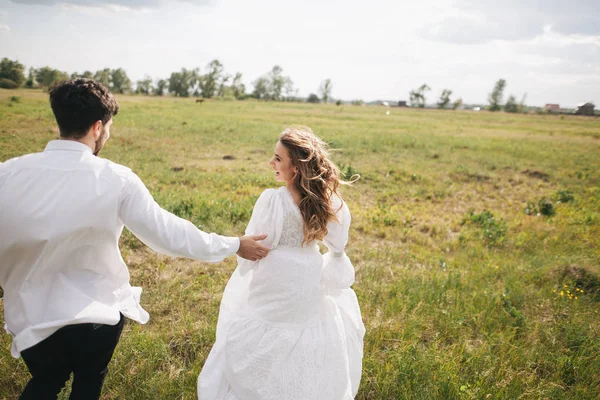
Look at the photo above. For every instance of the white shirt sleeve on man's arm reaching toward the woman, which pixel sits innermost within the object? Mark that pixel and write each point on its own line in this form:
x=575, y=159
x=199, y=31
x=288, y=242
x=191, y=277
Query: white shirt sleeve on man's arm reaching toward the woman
x=166, y=233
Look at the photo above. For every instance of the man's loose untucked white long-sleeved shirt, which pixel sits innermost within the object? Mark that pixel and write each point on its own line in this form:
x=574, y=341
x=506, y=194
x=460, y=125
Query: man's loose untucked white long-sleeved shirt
x=61, y=214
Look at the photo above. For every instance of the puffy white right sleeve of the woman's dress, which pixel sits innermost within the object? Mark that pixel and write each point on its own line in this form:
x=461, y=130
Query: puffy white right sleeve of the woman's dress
x=338, y=272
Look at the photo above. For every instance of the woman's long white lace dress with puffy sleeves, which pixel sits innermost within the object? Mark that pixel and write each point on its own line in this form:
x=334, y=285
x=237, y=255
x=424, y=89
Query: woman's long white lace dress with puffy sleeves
x=289, y=325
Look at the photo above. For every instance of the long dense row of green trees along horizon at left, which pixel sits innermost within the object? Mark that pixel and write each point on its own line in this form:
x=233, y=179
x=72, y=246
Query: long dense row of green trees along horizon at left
x=214, y=82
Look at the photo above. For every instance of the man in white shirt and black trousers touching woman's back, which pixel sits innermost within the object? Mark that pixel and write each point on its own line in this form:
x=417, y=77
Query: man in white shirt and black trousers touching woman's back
x=66, y=287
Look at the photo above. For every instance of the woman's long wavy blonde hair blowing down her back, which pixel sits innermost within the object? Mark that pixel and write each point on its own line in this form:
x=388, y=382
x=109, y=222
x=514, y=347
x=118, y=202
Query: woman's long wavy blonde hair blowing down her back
x=317, y=178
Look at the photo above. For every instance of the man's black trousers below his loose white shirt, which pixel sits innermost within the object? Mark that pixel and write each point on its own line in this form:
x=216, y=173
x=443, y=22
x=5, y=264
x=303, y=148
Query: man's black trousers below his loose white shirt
x=84, y=349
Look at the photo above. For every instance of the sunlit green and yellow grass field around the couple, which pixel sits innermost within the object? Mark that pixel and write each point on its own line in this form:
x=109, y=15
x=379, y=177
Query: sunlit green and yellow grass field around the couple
x=475, y=237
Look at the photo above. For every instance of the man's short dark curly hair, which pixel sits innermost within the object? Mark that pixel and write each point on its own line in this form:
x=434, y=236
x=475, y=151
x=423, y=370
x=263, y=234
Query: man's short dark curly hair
x=78, y=103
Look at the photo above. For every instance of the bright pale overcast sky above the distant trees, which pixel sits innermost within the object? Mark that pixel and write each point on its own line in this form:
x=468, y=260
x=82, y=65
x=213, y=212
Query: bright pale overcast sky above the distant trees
x=371, y=50
